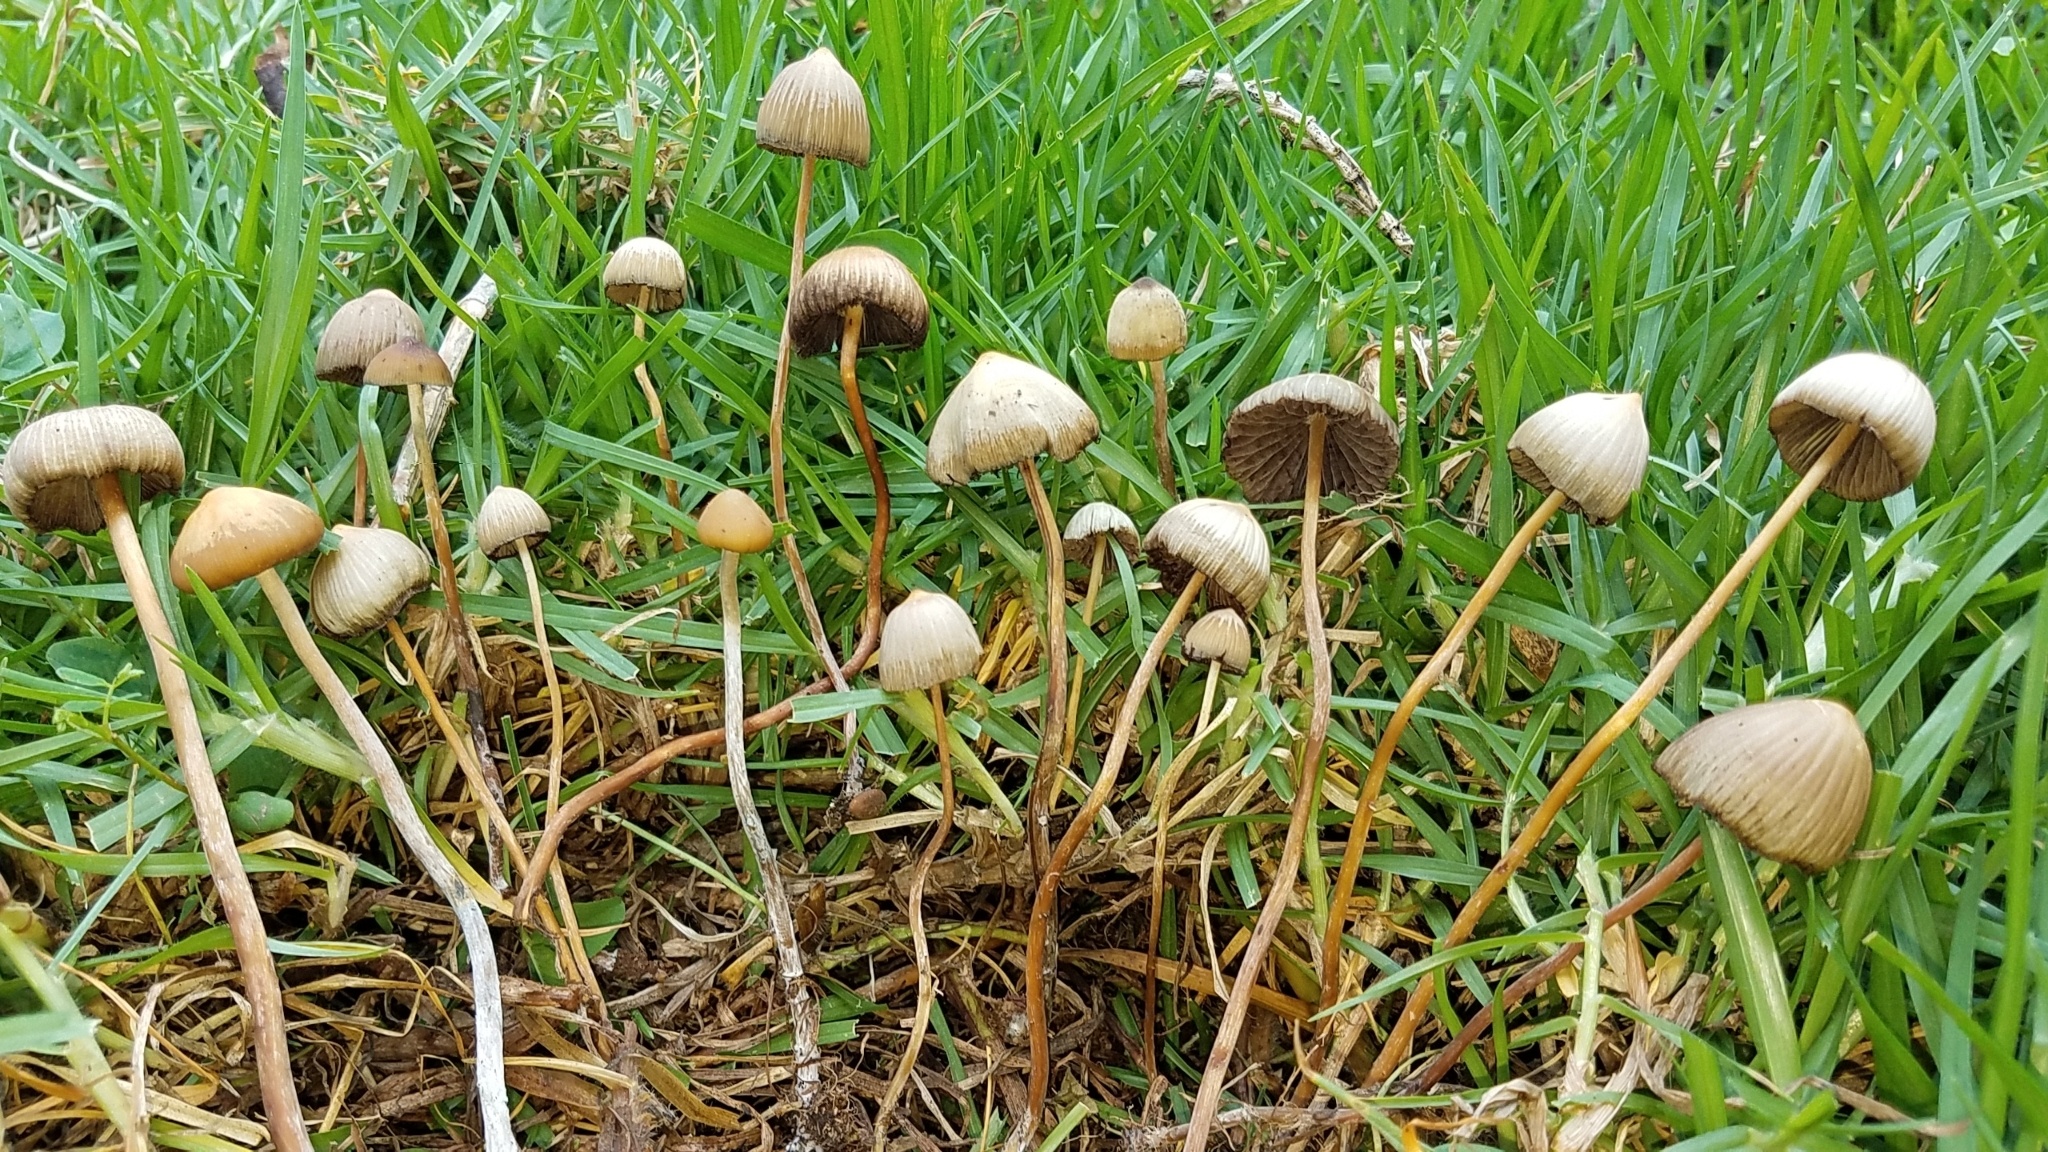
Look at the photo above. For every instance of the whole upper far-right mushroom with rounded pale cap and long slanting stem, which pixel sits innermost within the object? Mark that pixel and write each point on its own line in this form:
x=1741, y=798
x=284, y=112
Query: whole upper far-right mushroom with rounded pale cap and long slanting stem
x=1859, y=425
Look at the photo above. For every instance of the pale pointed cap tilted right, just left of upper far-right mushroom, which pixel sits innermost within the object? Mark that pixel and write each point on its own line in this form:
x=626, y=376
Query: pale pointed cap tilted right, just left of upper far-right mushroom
x=1592, y=448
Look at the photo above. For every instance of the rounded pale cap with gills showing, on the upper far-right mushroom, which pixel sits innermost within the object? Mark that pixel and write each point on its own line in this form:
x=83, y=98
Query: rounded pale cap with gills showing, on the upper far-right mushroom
x=1867, y=388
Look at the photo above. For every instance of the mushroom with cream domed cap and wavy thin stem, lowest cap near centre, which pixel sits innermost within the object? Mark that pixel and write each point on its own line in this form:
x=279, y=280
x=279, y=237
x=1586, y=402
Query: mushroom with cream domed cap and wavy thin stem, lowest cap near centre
x=927, y=643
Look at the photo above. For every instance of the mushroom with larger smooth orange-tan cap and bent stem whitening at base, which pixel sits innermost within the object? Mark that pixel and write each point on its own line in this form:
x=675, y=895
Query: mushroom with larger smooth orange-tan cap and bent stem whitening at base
x=247, y=532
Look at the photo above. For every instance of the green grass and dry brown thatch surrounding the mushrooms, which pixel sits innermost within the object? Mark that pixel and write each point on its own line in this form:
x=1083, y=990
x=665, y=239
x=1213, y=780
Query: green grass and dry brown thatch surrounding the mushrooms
x=1693, y=202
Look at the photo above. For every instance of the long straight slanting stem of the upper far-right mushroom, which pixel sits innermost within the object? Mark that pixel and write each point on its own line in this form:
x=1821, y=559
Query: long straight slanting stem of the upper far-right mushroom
x=1625, y=718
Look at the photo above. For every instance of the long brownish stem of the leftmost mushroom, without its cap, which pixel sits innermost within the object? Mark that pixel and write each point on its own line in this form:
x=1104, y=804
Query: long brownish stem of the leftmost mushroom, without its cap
x=216, y=835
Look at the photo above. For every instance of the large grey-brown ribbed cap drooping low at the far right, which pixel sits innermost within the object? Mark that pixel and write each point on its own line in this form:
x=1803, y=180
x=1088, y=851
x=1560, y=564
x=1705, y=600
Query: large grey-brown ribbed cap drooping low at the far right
x=1789, y=778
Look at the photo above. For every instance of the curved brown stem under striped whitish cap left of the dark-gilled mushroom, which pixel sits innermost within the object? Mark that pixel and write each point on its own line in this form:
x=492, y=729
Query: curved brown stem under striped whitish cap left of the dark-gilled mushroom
x=1048, y=899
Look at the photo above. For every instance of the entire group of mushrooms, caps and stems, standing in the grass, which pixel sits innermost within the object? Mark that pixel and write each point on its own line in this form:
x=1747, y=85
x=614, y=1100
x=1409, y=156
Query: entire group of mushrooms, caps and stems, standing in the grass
x=1785, y=778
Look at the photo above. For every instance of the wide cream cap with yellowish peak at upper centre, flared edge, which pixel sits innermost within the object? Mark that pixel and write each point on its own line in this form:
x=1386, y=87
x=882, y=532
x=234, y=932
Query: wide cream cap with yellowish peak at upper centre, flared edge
x=1007, y=413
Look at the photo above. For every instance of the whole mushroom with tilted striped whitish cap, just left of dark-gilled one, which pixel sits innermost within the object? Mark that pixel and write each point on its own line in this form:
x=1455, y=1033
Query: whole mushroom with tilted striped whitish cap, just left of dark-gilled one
x=1195, y=544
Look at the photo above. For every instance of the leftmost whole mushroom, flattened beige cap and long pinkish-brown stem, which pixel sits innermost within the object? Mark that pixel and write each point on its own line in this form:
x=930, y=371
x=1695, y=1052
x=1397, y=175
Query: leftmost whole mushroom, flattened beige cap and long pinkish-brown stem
x=65, y=472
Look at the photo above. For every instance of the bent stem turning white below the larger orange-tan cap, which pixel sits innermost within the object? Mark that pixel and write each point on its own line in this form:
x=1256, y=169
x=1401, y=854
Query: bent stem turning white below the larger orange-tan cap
x=495, y=1108
